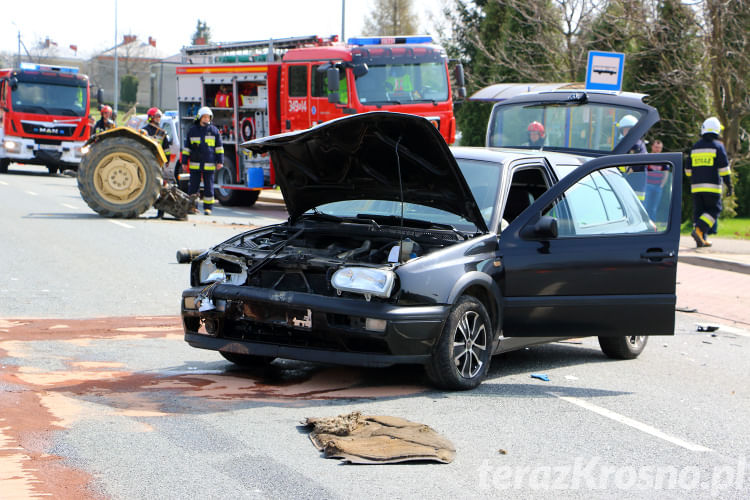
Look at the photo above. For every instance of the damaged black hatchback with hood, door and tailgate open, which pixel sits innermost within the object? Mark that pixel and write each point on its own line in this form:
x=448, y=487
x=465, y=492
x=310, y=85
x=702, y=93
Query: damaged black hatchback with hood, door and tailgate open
x=401, y=250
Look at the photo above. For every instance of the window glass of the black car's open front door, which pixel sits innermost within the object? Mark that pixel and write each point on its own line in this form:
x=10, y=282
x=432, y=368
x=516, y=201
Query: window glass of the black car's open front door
x=606, y=202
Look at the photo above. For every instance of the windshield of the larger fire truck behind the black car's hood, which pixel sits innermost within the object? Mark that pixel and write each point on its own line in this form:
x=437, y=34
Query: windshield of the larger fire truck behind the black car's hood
x=403, y=83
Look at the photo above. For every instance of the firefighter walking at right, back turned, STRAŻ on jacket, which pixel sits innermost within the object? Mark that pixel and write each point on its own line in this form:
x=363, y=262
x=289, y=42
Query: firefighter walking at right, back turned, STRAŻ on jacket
x=706, y=168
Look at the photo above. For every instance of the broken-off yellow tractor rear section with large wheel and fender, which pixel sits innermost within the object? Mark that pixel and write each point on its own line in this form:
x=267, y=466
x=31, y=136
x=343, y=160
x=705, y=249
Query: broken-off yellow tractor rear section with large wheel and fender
x=121, y=175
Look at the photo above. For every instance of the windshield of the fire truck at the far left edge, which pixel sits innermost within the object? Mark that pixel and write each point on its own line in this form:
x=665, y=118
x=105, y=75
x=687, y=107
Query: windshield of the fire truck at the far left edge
x=50, y=98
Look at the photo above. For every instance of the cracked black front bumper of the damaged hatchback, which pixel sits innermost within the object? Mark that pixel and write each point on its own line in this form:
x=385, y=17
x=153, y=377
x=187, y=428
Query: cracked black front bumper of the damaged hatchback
x=309, y=327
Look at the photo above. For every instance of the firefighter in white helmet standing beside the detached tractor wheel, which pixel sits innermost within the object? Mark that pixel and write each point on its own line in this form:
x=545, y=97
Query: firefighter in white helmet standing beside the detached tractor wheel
x=205, y=152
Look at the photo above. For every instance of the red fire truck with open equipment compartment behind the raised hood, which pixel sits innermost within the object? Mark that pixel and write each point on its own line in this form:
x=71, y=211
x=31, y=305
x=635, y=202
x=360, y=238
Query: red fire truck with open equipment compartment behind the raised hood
x=267, y=87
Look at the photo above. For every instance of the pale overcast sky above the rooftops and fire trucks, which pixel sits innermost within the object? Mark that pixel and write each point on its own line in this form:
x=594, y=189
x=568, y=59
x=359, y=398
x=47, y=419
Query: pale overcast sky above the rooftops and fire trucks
x=90, y=24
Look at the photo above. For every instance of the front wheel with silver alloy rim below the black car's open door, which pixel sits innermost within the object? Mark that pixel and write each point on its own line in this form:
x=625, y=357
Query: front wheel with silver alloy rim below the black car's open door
x=461, y=358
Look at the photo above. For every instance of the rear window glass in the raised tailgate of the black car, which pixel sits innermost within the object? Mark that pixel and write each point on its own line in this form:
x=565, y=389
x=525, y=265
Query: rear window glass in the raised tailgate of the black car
x=583, y=127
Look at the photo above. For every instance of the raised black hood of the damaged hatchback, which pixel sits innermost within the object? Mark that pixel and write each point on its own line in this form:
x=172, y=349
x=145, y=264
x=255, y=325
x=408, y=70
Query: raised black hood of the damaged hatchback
x=354, y=158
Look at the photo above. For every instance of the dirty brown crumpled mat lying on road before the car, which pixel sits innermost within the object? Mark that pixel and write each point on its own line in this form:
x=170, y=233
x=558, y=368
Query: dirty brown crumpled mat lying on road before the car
x=374, y=439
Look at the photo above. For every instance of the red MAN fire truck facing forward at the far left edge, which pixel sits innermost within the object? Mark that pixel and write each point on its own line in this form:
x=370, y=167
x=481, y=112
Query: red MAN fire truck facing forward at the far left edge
x=44, y=116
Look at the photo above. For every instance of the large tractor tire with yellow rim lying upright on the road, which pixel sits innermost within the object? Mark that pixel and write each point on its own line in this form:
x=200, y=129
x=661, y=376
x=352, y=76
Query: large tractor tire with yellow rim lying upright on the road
x=119, y=177
